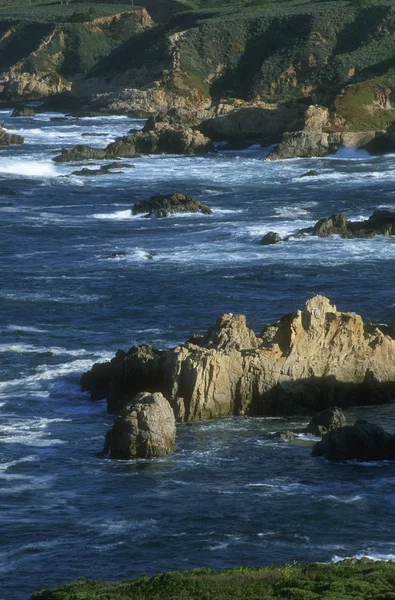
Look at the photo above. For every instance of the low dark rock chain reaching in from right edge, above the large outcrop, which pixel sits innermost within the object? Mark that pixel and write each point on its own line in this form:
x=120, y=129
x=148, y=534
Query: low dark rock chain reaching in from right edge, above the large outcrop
x=381, y=222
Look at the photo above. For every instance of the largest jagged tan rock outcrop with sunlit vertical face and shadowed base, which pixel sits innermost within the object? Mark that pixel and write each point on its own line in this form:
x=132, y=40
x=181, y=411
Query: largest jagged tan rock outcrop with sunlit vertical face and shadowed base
x=306, y=362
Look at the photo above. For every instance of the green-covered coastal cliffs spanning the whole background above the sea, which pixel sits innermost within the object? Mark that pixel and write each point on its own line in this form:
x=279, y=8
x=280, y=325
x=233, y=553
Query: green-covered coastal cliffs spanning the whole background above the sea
x=247, y=71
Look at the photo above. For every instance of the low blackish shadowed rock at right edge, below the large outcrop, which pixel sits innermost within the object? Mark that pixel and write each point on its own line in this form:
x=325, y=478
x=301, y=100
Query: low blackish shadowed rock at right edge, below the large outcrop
x=362, y=441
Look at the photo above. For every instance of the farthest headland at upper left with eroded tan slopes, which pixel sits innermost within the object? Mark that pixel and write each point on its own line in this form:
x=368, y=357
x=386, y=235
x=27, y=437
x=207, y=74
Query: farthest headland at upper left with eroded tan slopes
x=39, y=60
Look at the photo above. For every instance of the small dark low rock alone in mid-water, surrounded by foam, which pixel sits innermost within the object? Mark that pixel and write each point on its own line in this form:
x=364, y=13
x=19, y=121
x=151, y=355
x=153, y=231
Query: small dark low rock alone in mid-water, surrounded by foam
x=163, y=206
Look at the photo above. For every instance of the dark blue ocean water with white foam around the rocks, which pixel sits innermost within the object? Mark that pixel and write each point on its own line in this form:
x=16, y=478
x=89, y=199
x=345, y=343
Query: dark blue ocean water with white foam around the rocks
x=76, y=285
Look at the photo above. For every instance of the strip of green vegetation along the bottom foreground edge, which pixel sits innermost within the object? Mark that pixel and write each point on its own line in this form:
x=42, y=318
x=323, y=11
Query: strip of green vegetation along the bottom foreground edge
x=358, y=580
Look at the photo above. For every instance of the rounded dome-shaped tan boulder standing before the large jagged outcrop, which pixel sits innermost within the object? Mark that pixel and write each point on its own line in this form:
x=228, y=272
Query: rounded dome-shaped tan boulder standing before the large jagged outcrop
x=146, y=428
